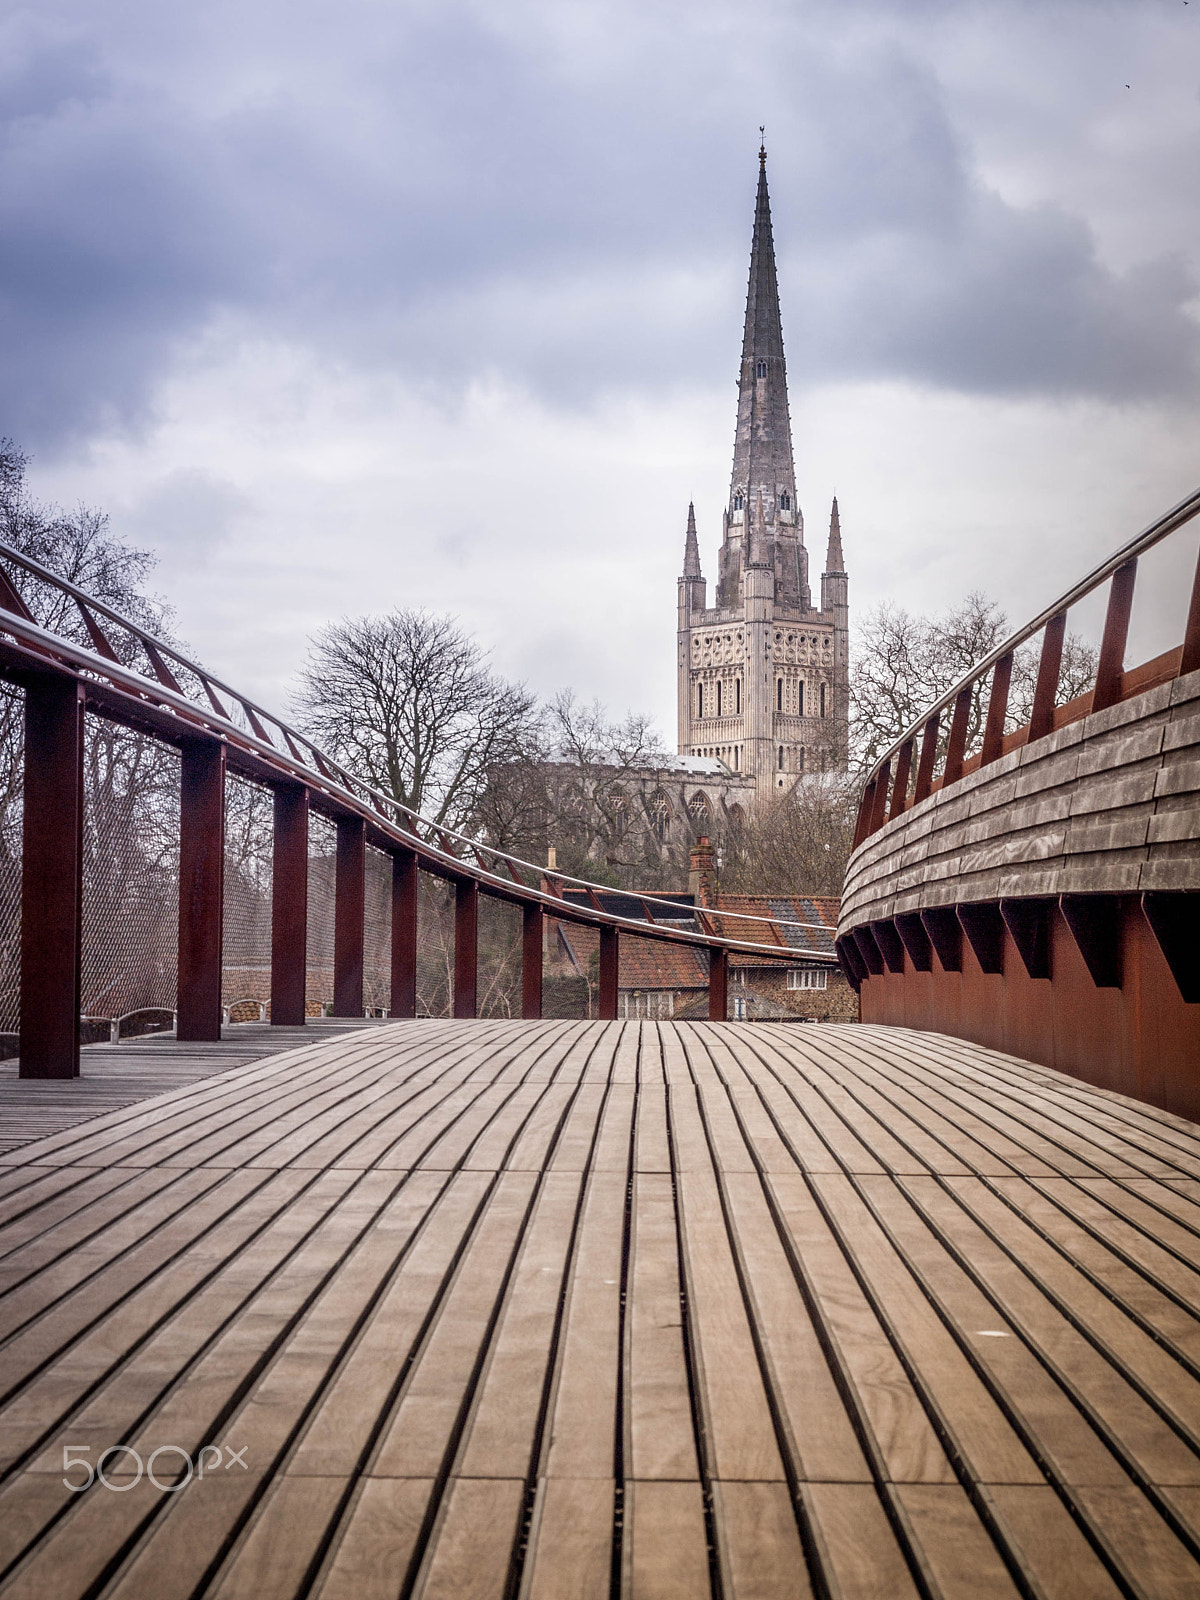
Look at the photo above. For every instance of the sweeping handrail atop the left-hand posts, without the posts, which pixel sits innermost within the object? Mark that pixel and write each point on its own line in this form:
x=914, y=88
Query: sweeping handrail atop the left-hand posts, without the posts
x=343, y=786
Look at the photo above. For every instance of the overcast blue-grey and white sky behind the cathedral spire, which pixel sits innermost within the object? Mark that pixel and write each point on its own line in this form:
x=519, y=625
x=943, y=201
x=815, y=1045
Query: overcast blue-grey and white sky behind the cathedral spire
x=378, y=303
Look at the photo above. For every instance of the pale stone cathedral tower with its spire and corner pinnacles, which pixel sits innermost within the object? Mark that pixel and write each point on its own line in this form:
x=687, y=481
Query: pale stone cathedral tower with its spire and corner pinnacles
x=764, y=674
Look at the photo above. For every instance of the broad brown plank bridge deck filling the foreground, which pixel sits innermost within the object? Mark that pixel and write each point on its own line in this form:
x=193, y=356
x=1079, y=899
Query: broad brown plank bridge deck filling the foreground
x=580, y=1310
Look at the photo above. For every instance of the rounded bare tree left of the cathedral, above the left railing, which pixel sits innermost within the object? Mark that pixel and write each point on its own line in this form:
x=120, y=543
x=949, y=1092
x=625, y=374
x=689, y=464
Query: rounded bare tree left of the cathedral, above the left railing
x=410, y=705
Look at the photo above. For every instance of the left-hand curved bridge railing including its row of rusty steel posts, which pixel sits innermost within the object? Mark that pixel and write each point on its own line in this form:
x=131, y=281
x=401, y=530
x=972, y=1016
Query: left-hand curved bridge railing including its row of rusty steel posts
x=142, y=682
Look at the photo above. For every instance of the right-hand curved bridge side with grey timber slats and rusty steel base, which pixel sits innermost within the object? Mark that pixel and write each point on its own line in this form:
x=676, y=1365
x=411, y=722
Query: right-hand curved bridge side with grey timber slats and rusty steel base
x=1042, y=894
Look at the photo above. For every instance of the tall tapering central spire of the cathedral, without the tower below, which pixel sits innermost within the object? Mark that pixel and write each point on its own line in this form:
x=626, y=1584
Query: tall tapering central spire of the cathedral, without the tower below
x=762, y=454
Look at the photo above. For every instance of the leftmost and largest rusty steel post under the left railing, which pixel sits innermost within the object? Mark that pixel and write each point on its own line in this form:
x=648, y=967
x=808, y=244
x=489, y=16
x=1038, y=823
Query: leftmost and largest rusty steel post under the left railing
x=52, y=881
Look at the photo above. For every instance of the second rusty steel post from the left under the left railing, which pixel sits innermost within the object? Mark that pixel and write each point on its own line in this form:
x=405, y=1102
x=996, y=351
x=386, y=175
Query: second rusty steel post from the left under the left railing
x=202, y=889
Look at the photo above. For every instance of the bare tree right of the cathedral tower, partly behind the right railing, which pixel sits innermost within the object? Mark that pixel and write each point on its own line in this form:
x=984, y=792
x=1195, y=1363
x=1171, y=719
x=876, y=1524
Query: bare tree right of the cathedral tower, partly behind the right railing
x=903, y=663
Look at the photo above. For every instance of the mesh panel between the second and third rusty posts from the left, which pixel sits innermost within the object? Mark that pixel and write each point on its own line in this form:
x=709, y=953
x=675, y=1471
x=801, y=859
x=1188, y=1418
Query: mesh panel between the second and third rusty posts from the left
x=246, y=942
